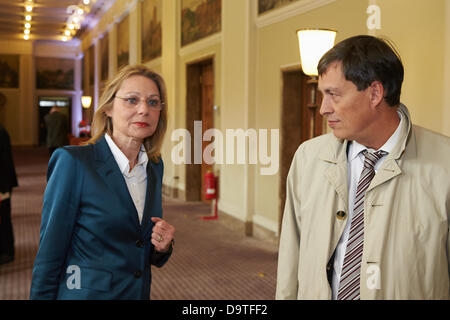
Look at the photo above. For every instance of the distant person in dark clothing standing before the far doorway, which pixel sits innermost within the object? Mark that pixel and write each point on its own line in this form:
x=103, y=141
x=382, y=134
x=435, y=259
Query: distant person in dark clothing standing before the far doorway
x=57, y=129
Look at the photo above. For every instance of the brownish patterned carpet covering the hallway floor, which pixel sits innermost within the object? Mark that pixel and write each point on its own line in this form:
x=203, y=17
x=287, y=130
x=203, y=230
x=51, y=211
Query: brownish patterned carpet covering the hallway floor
x=210, y=261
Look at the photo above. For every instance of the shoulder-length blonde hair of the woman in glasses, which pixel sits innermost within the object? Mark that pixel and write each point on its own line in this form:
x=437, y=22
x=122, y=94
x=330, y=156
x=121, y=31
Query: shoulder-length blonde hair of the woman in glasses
x=102, y=123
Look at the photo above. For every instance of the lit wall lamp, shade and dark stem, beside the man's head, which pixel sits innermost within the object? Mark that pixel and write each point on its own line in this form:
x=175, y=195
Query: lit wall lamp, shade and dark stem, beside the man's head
x=313, y=44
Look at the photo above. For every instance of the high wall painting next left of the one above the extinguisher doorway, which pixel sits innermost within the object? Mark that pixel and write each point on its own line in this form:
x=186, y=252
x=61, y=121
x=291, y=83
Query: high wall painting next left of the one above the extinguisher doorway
x=151, y=29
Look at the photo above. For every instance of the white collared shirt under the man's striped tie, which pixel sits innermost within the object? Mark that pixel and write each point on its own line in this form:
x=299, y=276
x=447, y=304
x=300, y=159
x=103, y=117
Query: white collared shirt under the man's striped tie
x=355, y=162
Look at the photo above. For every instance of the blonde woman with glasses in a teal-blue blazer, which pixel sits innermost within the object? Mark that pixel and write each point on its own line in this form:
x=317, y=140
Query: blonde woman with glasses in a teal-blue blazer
x=102, y=226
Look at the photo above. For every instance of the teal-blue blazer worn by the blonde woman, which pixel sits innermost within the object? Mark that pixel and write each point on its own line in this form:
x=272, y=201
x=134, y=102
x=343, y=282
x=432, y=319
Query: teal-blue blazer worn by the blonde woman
x=92, y=245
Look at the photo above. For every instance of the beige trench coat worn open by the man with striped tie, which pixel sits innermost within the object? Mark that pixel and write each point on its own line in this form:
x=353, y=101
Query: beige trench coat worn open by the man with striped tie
x=406, y=219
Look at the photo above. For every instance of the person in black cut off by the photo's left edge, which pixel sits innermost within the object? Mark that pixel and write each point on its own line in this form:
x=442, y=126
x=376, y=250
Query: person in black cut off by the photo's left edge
x=8, y=180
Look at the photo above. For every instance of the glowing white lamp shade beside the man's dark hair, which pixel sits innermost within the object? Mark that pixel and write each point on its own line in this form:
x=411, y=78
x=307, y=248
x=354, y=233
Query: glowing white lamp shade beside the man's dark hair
x=313, y=44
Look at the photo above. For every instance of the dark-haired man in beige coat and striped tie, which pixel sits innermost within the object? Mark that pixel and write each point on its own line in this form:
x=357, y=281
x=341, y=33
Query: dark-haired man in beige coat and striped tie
x=406, y=208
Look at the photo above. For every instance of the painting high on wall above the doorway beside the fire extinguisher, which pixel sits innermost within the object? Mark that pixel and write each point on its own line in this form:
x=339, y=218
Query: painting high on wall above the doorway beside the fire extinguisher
x=199, y=19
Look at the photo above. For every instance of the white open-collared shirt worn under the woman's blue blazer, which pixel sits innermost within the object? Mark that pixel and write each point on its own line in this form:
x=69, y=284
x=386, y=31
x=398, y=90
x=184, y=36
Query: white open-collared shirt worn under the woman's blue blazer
x=135, y=179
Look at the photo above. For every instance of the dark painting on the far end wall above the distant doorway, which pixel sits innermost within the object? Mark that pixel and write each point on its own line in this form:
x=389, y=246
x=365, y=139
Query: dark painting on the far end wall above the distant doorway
x=54, y=73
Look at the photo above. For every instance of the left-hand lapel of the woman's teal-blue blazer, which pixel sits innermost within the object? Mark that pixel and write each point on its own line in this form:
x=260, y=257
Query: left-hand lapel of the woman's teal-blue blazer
x=108, y=169
